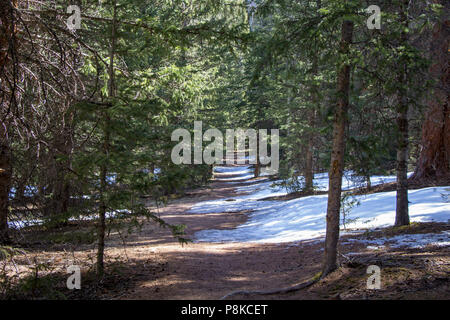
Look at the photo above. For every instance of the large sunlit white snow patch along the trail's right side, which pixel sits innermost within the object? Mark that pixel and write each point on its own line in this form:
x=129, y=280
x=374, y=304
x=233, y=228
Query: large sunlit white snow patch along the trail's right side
x=304, y=218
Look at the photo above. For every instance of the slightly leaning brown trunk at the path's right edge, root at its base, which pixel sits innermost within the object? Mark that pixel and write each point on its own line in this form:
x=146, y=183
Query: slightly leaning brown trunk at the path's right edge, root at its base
x=337, y=155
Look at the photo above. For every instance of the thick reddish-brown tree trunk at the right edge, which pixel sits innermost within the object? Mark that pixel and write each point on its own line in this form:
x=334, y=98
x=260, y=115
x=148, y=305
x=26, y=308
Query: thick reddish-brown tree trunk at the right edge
x=434, y=160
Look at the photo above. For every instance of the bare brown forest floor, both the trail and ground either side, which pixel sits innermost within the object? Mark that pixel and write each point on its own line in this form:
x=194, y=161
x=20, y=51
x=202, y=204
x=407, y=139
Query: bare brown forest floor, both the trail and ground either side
x=151, y=264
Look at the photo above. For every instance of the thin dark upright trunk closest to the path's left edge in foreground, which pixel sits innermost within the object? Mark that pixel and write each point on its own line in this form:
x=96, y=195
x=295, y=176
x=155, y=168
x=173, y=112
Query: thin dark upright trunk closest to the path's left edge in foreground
x=106, y=146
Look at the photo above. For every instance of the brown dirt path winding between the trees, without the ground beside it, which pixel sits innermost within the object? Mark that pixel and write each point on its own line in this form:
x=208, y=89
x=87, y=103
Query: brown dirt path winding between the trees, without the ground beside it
x=166, y=270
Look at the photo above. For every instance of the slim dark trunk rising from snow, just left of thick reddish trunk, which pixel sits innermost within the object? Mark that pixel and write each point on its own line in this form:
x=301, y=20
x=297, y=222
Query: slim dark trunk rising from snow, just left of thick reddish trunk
x=402, y=214
